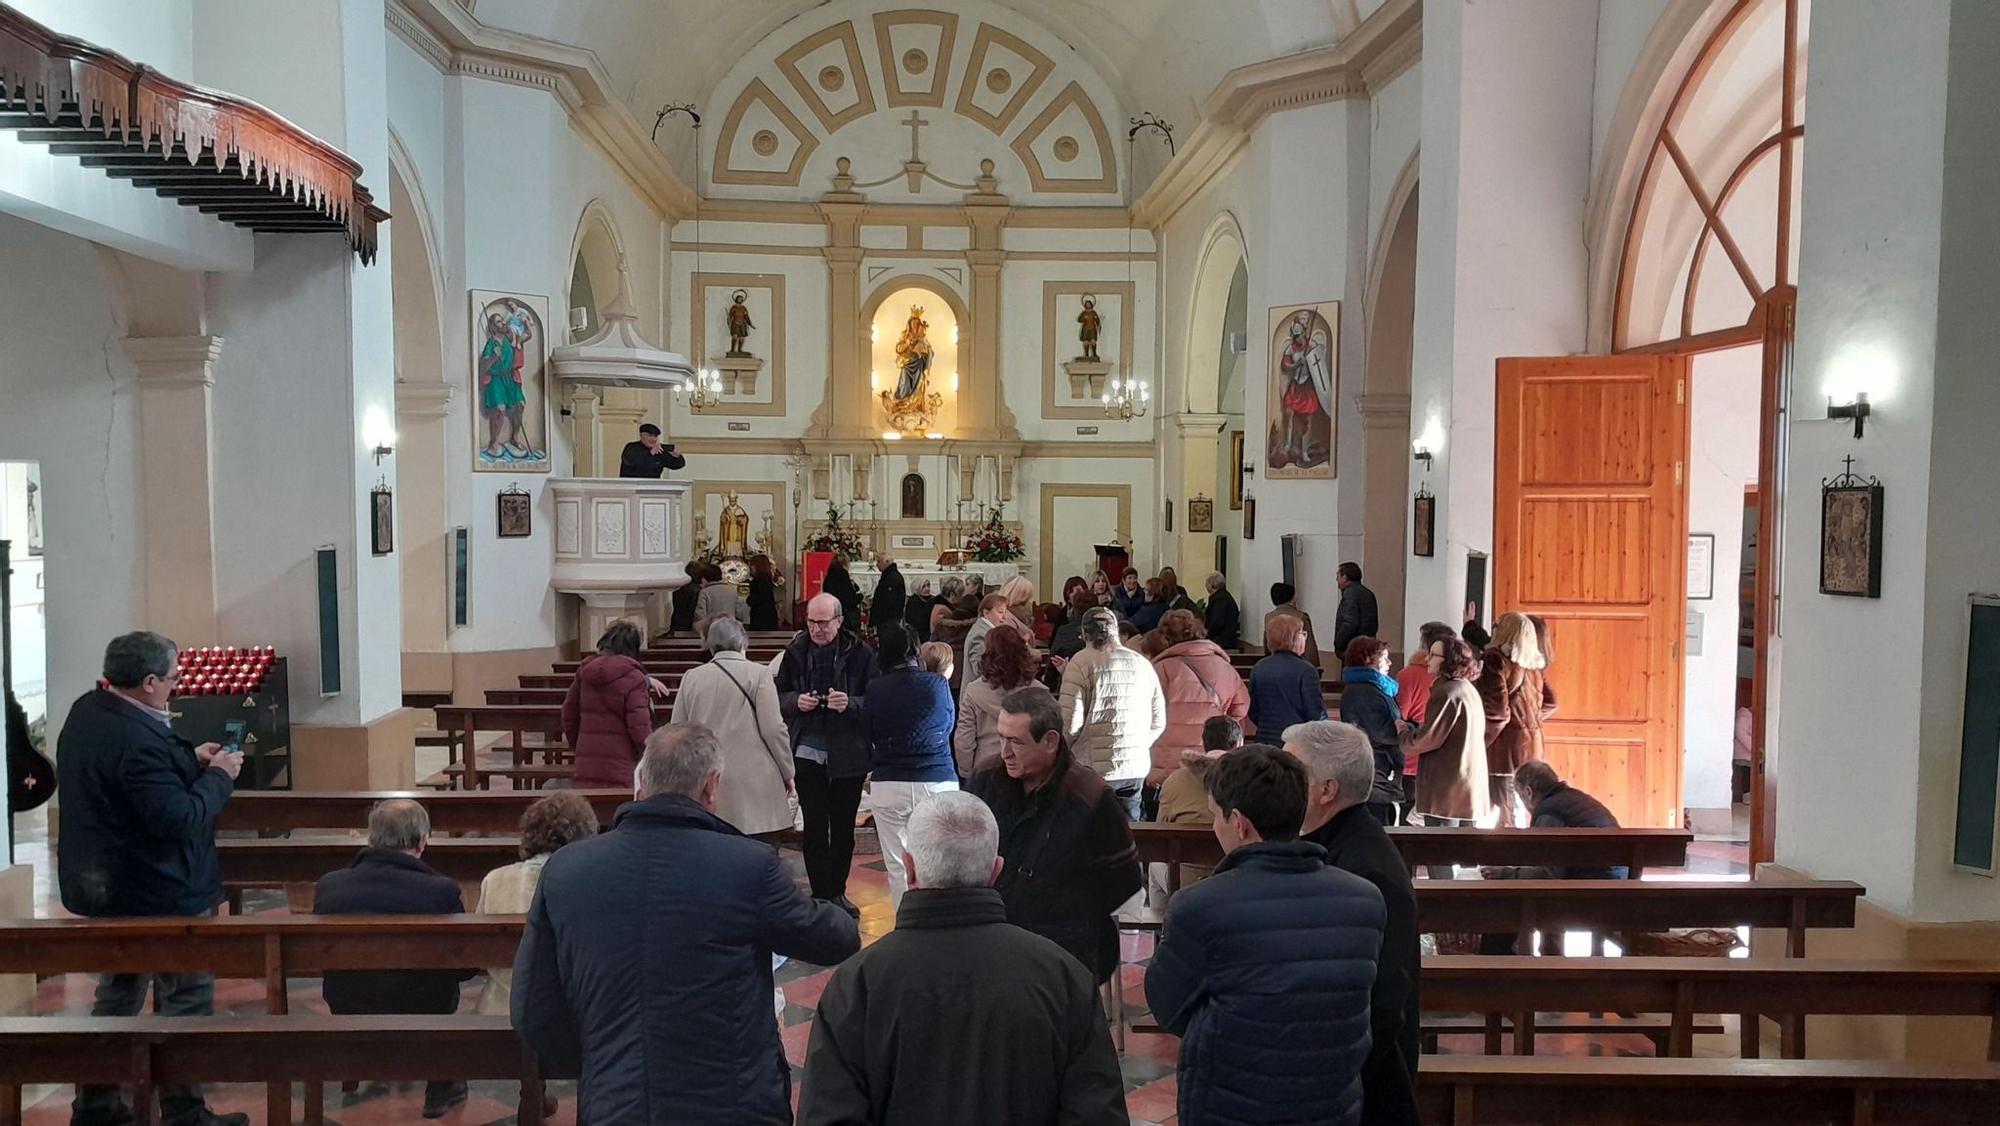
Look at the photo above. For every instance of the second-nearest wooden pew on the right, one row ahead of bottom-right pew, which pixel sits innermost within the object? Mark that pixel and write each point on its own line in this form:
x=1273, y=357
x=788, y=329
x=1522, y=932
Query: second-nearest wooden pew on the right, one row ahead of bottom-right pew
x=1687, y=987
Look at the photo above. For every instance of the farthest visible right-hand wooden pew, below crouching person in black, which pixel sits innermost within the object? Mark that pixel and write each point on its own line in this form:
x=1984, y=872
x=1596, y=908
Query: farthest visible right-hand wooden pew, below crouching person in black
x=1635, y=849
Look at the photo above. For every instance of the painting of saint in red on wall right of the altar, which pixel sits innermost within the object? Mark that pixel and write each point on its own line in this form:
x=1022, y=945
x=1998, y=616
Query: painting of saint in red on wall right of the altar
x=1305, y=383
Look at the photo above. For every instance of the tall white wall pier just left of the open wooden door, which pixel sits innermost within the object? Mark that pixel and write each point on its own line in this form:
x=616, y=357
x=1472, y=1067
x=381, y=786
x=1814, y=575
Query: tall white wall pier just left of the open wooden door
x=1501, y=259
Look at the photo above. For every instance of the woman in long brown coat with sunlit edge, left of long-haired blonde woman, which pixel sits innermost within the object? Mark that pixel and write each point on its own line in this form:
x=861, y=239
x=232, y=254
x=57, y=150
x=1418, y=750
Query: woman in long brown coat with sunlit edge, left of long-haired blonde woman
x=1451, y=747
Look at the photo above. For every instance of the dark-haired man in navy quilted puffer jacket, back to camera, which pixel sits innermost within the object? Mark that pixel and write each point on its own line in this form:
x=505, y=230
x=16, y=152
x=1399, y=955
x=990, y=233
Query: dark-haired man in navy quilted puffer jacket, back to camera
x=1265, y=969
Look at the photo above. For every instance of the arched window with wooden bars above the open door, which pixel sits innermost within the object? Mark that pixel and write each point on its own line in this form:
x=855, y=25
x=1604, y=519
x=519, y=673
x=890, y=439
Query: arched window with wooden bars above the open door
x=1715, y=227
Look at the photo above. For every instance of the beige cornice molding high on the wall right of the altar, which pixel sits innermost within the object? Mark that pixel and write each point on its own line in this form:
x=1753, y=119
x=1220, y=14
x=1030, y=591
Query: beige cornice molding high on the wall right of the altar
x=1357, y=67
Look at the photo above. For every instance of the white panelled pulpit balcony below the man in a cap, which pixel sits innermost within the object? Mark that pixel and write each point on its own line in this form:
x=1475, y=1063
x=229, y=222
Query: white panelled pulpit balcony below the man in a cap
x=619, y=543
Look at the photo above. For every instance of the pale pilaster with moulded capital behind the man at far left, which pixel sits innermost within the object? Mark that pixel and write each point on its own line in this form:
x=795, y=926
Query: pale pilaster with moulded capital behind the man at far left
x=177, y=377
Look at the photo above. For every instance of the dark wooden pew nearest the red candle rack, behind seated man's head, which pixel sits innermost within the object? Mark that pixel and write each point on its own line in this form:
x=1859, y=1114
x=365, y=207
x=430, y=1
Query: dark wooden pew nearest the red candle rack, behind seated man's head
x=451, y=811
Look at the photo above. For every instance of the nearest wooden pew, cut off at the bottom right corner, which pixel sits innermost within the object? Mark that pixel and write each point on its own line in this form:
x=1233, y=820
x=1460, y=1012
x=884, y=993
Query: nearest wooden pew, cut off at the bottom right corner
x=1509, y=1091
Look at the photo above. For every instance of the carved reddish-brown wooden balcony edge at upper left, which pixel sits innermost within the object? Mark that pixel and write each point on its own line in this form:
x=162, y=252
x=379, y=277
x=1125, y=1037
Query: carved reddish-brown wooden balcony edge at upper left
x=227, y=155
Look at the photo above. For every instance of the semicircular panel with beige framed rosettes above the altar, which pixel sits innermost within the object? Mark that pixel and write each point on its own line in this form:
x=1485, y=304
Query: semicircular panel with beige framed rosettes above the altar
x=915, y=101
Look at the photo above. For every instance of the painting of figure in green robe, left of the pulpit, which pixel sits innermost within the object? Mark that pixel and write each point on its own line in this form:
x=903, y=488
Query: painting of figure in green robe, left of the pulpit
x=509, y=383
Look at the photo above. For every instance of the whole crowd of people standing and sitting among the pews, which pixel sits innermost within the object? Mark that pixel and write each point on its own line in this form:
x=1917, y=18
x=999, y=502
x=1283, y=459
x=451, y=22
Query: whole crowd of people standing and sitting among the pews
x=1005, y=813
